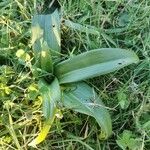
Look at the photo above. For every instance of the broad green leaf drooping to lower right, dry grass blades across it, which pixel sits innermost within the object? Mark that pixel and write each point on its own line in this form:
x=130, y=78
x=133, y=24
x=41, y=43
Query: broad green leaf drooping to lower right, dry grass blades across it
x=82, y=98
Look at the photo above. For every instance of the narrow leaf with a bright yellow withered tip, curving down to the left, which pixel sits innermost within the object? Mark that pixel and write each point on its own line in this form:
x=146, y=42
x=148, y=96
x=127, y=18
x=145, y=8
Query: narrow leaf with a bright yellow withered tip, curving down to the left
x=51, y=95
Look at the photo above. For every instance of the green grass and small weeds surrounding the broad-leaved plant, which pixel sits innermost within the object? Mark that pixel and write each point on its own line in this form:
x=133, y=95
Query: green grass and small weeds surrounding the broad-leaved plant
x=126, y=93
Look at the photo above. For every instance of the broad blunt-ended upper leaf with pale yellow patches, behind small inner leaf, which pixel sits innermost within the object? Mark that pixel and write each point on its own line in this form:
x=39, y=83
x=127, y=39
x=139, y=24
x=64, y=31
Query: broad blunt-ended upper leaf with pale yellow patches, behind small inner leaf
x=46, y=28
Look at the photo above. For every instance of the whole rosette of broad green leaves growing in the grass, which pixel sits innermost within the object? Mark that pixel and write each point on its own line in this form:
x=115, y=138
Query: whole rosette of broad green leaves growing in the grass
x=64, y=81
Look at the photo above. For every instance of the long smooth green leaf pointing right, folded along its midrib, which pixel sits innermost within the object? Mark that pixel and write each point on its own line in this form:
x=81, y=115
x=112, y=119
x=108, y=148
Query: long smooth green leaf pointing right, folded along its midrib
x=94, y=63
